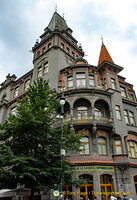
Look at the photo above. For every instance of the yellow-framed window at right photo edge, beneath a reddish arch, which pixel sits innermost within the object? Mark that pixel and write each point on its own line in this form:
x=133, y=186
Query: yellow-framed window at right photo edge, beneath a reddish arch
x=132, y=149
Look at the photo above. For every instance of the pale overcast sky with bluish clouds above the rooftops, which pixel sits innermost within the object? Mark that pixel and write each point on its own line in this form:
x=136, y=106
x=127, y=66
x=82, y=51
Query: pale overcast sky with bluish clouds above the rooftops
x=23, y=21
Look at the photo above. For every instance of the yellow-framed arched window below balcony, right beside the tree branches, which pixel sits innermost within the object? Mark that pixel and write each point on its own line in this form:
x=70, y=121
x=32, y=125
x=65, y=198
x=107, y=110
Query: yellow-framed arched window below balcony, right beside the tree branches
x=84, y=148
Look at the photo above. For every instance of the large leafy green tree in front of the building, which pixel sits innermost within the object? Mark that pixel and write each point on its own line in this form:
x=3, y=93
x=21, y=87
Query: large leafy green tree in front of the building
x=30, y=141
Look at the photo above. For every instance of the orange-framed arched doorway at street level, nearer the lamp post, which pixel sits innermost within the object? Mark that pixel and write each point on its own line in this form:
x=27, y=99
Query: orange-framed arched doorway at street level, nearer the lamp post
x=86, y=189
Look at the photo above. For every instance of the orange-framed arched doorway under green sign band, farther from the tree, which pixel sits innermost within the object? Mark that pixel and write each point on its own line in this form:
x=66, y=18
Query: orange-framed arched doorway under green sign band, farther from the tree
x=106, y=185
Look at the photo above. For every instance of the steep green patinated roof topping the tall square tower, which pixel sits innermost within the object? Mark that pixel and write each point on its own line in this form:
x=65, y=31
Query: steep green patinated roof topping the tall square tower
x=57, y=22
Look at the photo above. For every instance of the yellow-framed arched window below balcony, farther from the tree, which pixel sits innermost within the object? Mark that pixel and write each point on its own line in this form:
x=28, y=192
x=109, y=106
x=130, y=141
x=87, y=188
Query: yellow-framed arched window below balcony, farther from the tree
x=102, y=146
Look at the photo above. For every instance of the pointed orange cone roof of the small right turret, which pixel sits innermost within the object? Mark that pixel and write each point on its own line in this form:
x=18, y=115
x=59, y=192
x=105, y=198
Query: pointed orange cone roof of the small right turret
x=104, y=55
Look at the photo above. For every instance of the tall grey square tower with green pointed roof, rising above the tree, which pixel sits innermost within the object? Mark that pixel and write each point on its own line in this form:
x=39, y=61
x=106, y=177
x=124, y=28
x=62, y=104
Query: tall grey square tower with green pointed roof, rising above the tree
x=57, y=48
